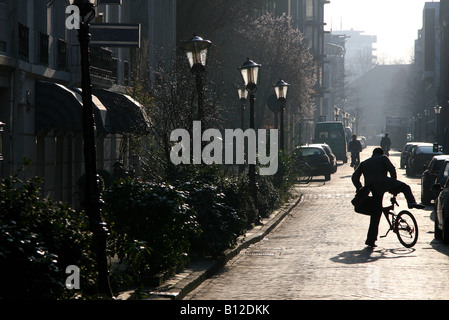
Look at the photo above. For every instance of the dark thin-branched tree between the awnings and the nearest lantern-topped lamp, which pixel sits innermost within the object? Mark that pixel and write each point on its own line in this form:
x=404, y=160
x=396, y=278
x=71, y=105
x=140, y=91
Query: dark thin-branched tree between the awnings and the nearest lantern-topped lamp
x=170, y=101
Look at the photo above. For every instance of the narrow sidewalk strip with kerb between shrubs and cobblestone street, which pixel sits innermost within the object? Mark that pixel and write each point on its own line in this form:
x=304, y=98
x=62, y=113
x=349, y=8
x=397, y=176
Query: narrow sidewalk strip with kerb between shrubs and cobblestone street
x=177, y=287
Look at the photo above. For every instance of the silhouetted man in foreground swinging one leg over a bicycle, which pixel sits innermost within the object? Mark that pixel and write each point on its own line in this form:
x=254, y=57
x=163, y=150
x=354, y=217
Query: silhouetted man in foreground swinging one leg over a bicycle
x=374, y=171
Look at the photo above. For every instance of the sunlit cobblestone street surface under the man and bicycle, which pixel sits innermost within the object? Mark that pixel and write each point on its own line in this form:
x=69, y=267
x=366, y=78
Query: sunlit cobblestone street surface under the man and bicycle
x=318, y=252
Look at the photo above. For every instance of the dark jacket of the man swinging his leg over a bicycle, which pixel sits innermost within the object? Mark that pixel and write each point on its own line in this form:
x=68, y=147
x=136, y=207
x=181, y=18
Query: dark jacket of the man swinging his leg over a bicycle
x=375, y=171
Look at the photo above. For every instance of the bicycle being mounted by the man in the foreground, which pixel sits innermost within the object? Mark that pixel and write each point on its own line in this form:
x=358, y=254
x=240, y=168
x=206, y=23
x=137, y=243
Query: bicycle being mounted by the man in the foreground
x=403, y=224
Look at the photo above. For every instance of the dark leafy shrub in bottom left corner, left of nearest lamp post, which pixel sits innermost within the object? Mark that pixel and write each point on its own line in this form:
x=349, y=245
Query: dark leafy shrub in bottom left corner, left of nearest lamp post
x=38, y=240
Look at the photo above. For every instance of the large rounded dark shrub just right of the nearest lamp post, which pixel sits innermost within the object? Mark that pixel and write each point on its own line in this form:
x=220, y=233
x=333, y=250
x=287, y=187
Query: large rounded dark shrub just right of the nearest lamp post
x=150, y=224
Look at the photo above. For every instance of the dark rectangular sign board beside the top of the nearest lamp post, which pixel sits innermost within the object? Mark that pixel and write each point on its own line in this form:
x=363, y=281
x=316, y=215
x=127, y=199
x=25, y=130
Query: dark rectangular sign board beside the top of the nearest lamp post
x=115, y=35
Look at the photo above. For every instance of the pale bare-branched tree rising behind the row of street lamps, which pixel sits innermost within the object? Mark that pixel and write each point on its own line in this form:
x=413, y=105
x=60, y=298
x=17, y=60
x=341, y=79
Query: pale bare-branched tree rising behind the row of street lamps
x=283, y=53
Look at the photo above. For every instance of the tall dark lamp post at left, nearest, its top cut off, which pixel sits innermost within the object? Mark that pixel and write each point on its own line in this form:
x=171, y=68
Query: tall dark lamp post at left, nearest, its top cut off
x=93, y=201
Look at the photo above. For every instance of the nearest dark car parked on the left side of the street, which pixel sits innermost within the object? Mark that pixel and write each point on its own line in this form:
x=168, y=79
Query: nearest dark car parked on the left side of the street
x=317, y=159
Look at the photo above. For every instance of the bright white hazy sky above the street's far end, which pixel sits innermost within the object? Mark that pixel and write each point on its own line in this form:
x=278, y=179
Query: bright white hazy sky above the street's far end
x=395, y=22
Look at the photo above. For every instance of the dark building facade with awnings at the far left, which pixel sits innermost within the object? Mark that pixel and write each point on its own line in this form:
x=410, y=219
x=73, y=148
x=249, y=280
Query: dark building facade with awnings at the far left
x=40, y=99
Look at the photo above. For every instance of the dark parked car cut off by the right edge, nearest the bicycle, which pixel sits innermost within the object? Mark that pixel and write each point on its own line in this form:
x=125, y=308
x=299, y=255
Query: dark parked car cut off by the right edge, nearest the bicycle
x=442, y=209
